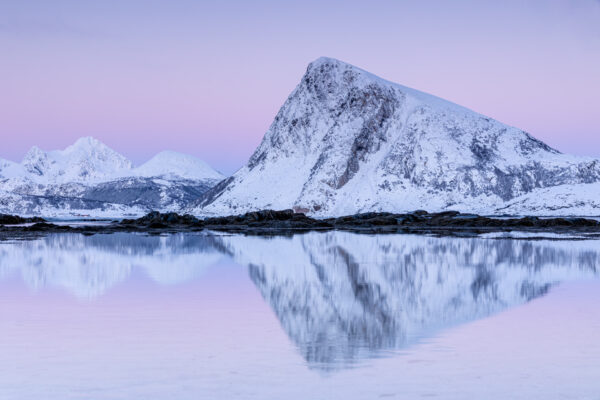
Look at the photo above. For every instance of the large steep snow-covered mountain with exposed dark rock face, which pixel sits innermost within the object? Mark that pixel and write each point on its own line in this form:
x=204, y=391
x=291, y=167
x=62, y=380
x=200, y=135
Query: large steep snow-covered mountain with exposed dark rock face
x=346, y=141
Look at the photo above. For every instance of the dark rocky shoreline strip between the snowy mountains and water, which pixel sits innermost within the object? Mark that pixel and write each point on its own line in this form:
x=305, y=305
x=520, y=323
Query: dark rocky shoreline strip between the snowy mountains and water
x=286, y=222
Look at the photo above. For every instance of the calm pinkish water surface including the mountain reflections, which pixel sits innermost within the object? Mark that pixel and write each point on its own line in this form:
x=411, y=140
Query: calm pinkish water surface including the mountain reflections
x=313, y=316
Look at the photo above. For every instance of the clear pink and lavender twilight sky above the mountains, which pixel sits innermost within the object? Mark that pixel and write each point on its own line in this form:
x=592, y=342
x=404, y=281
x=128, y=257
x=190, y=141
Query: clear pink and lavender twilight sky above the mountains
x=207, y=78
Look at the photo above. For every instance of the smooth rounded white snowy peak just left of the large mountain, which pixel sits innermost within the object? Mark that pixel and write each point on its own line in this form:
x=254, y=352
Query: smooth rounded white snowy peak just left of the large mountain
x=170, y=163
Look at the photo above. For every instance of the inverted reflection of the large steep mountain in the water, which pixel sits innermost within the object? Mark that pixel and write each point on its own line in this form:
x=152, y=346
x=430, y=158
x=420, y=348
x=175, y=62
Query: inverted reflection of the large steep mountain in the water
x=342, y=297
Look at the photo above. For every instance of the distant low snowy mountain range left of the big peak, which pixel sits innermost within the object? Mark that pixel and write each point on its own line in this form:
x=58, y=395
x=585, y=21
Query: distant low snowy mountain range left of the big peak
x=89, y=178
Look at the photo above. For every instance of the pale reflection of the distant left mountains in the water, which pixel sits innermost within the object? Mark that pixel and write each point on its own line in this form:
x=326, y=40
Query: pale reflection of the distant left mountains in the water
x=87, y=266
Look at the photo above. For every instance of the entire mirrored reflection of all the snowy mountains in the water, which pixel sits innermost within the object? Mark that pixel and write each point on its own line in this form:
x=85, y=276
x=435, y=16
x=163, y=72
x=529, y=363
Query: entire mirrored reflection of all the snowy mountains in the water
x=340, y=297
